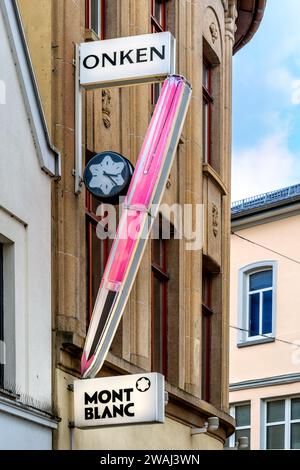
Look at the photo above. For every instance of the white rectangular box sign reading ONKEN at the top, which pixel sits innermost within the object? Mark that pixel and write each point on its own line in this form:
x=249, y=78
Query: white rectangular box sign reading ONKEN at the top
x=127, y=61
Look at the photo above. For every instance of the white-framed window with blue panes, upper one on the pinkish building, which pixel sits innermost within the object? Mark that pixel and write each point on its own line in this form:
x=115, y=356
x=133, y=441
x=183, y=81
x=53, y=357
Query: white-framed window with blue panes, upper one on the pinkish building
x=257, y=302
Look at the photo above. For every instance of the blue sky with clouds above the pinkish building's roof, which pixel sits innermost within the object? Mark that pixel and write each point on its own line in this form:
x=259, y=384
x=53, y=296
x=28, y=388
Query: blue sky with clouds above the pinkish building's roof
x=266, y=104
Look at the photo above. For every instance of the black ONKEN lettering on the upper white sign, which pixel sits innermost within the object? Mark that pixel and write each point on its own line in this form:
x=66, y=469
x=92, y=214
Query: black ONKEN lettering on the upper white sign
x=119, y=58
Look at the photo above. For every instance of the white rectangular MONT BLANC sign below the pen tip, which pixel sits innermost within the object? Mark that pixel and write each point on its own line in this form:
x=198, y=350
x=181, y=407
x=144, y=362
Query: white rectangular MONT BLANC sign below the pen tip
x=124, y=399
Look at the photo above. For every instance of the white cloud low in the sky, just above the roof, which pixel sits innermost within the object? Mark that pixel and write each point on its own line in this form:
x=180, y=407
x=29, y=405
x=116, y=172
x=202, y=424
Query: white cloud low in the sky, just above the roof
x=267, y=166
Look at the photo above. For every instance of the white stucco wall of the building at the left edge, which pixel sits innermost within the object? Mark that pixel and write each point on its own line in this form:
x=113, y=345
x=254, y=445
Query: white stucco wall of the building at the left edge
x=25, y=219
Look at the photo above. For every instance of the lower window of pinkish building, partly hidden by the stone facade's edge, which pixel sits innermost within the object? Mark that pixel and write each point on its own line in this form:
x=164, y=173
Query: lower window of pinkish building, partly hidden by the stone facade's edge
x=242, y=414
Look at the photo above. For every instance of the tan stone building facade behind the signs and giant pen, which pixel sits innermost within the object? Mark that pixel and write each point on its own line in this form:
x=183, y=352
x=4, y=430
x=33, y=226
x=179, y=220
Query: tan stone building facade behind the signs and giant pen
x=176, y=320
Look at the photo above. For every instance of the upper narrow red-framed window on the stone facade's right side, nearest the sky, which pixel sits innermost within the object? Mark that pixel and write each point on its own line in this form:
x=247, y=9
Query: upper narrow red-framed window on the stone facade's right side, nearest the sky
x=207, y=112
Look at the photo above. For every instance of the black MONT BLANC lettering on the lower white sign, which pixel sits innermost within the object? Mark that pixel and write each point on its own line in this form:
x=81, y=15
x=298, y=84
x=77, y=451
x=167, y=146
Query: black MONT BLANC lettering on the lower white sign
x=109, y=404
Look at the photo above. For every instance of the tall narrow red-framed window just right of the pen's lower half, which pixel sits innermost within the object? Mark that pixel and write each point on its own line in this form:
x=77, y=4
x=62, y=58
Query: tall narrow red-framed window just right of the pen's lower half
x=160, y=280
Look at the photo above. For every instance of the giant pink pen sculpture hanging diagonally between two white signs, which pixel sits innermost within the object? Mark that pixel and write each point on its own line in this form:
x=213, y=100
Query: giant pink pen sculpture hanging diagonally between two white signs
x=139, y=210
